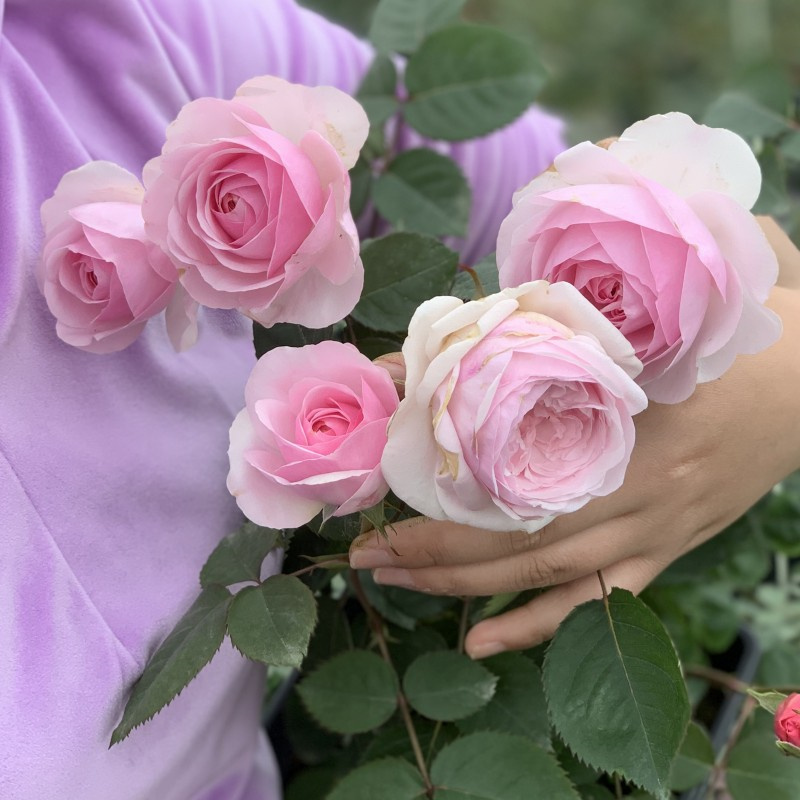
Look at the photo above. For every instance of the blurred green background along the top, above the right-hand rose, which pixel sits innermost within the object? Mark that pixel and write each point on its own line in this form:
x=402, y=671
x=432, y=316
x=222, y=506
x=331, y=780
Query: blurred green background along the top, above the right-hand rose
x=734, y=63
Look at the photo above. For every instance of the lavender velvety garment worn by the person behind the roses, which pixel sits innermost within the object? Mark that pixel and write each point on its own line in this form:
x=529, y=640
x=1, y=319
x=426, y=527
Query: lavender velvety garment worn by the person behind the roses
x=112, y=468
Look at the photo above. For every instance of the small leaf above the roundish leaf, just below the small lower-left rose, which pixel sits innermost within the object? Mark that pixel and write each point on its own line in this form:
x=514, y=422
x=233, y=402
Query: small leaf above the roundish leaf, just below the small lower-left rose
x=238, y=557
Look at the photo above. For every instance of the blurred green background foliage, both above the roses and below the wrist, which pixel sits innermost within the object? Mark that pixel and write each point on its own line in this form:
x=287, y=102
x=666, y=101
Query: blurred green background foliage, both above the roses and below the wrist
x=729, y=63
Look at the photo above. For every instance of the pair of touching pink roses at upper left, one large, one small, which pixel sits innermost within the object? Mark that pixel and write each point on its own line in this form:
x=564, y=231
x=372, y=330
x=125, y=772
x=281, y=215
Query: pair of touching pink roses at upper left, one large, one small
x=247, y=207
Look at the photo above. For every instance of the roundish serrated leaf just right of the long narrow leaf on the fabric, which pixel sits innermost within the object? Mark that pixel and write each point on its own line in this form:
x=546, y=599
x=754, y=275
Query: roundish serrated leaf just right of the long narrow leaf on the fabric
x=273, y=622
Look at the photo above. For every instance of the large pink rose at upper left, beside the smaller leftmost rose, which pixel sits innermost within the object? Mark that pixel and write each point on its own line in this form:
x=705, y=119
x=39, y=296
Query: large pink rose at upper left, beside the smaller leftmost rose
x=250, y=198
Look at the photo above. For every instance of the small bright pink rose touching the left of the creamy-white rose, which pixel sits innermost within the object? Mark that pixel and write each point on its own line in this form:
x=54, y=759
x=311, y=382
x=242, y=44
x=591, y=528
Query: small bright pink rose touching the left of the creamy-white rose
x=311, y=435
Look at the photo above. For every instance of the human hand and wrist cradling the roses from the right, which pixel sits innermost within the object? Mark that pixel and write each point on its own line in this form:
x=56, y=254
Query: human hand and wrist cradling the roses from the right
x=696, y=467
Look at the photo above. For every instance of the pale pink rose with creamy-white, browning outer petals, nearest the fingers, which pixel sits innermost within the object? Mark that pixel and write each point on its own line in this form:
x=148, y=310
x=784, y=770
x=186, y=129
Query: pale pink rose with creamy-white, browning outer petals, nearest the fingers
x=517, y=407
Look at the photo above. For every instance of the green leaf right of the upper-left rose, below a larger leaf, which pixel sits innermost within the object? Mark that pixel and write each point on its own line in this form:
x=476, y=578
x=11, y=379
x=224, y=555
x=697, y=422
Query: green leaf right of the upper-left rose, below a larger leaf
x=425, y=192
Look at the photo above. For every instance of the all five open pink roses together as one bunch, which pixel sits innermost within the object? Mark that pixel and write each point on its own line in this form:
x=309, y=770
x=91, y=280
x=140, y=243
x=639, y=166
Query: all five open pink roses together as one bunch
x=631, y=271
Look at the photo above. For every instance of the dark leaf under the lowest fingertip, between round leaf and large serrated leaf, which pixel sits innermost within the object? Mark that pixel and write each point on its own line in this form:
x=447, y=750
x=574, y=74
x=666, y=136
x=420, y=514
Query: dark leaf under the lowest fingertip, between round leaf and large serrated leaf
x=518, y=705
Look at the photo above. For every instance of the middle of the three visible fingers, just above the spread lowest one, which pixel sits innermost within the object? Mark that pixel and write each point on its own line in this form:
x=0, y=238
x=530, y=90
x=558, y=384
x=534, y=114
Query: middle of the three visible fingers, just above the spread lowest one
x=559, y=562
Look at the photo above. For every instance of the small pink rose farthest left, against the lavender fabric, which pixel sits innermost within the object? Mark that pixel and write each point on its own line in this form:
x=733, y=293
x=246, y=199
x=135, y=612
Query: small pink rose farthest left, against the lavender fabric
x=101, y=276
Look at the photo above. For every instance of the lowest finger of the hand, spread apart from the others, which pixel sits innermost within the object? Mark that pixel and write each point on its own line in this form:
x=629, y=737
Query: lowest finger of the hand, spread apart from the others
x=537, y=621
